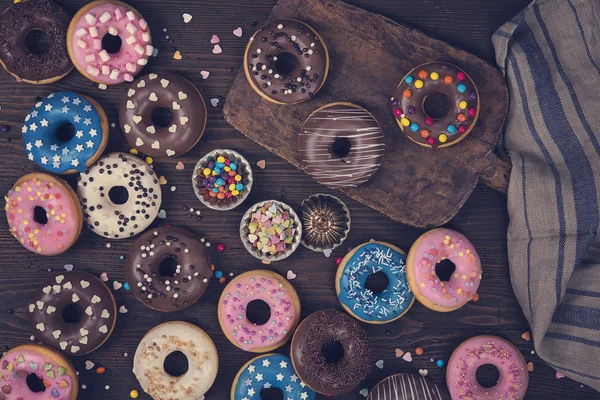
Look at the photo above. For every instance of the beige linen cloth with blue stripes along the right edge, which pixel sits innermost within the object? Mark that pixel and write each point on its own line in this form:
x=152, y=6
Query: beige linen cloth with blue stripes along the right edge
x=550, y=56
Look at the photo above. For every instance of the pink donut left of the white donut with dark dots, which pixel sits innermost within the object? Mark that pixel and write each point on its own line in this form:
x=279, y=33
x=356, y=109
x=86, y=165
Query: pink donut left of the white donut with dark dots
x=43, y=213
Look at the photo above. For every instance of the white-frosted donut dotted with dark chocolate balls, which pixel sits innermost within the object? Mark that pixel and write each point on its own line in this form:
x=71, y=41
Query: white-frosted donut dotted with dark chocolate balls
x=136, y=191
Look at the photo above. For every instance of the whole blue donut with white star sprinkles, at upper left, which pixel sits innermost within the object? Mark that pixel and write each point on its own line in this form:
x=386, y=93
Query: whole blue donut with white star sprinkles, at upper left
x=42, y=145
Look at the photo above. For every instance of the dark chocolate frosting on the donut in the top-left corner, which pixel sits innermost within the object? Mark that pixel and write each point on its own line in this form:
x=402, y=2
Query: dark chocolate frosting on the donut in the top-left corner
x=21, y=18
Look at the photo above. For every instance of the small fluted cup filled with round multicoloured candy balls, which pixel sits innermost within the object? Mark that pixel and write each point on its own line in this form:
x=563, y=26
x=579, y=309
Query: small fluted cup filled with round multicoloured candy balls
x=222, y=179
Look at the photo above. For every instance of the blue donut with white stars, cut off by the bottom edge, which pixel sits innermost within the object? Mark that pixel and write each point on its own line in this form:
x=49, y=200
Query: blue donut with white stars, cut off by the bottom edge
x=266, y=372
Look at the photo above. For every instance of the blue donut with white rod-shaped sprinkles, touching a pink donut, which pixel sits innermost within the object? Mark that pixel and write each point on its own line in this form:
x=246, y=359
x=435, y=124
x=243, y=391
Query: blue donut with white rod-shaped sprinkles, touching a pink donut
x=361, y=302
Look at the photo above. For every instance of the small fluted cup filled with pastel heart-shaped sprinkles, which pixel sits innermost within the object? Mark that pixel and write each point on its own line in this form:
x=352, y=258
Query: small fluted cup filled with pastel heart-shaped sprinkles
x=271, y=230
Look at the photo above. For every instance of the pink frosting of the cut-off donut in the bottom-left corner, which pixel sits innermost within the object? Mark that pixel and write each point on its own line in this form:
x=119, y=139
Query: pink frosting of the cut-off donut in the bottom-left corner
x=18, y=363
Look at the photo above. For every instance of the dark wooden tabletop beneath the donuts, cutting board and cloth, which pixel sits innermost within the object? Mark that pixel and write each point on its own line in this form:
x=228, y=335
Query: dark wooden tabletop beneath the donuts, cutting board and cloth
x=464, y=23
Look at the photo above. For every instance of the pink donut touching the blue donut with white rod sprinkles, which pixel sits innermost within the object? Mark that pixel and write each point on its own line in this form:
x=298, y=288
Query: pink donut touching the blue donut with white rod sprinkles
x=426, y=253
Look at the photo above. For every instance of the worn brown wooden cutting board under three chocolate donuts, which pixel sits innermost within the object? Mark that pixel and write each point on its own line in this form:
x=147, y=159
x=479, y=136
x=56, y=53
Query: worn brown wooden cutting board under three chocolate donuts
x=369, y=55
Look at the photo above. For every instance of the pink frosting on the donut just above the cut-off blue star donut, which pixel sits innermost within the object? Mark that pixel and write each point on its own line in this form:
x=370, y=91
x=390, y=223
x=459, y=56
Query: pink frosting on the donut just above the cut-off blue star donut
x=242, y=291
